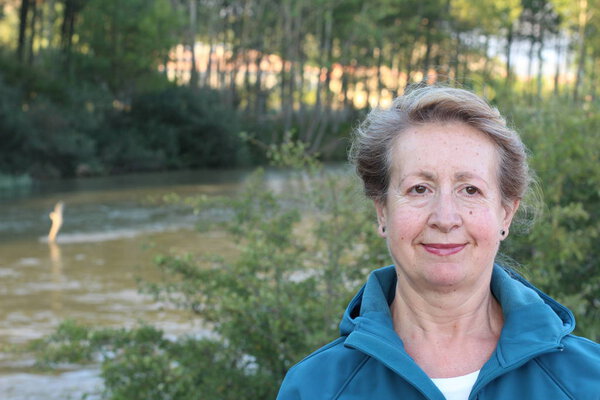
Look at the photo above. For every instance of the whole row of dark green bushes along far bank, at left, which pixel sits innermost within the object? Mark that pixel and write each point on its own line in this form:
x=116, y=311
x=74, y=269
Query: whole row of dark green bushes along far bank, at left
x=65, y=129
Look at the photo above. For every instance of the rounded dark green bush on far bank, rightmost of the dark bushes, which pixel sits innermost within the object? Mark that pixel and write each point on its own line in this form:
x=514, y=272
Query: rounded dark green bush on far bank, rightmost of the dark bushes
x=172, y=128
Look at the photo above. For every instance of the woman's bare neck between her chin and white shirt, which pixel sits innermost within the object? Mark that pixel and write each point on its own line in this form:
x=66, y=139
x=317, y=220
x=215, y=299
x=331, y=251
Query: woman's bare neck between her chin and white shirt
x=448, y=332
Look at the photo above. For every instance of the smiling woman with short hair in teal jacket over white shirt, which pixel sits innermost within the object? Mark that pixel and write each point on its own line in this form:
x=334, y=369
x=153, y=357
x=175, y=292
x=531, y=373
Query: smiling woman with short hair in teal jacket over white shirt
x=446, y=176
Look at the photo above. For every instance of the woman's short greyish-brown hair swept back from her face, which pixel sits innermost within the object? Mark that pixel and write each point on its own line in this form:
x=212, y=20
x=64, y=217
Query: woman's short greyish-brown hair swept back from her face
x=375, y=136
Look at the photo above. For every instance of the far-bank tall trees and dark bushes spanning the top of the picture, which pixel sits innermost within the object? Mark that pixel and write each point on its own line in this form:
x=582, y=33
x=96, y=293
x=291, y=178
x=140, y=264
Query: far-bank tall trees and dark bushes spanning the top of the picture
x=103, y=86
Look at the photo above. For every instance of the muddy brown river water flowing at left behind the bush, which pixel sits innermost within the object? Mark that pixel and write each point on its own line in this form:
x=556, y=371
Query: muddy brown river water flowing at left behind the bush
x=112, y=230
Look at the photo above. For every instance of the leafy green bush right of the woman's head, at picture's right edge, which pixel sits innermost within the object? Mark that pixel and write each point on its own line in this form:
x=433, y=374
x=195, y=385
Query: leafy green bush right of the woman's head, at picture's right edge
x=560, y=253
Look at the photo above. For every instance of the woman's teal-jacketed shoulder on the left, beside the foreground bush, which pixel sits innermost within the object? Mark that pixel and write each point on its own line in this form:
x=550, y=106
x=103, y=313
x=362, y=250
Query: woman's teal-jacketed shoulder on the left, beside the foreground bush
x=322, y=374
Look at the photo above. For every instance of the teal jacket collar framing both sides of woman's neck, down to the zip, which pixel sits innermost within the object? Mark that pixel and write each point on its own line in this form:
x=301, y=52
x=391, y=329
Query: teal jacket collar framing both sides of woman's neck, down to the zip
x=533, y=324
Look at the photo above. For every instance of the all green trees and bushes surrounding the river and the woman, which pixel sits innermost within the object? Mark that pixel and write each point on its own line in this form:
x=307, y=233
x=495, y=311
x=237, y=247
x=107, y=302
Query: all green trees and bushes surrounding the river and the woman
x=101, y=87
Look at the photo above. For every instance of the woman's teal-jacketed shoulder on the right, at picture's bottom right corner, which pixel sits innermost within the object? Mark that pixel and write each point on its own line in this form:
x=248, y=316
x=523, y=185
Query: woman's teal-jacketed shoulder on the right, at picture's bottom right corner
x=576, y=368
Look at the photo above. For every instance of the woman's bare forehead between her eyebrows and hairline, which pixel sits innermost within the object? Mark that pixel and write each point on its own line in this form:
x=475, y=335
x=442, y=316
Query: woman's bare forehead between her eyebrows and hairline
x=436, y=148
